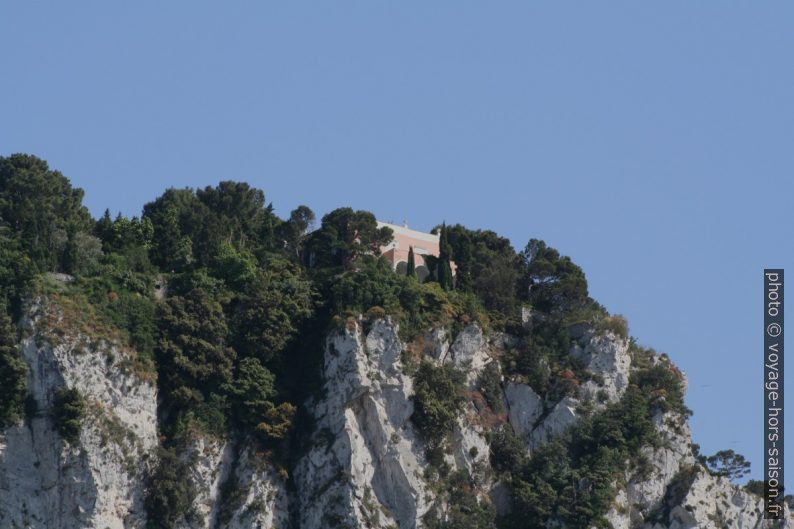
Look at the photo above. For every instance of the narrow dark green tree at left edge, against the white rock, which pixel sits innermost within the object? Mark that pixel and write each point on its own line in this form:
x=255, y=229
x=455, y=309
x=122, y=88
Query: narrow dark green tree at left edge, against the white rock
x=13, y=374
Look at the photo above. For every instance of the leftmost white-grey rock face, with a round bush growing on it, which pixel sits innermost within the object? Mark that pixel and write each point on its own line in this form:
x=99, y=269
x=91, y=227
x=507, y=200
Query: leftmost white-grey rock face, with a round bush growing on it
x=44, y=482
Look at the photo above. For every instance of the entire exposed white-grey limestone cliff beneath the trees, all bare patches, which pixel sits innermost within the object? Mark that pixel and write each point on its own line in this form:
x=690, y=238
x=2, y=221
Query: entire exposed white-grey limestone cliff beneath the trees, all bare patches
x=366, y=462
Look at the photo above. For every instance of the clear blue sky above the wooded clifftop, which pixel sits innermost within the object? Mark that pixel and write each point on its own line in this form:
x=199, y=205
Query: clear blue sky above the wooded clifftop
x=653, y=142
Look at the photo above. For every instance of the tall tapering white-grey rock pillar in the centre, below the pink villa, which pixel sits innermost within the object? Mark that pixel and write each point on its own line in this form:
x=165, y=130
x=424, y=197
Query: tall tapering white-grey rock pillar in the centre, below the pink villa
x=365, y=468
